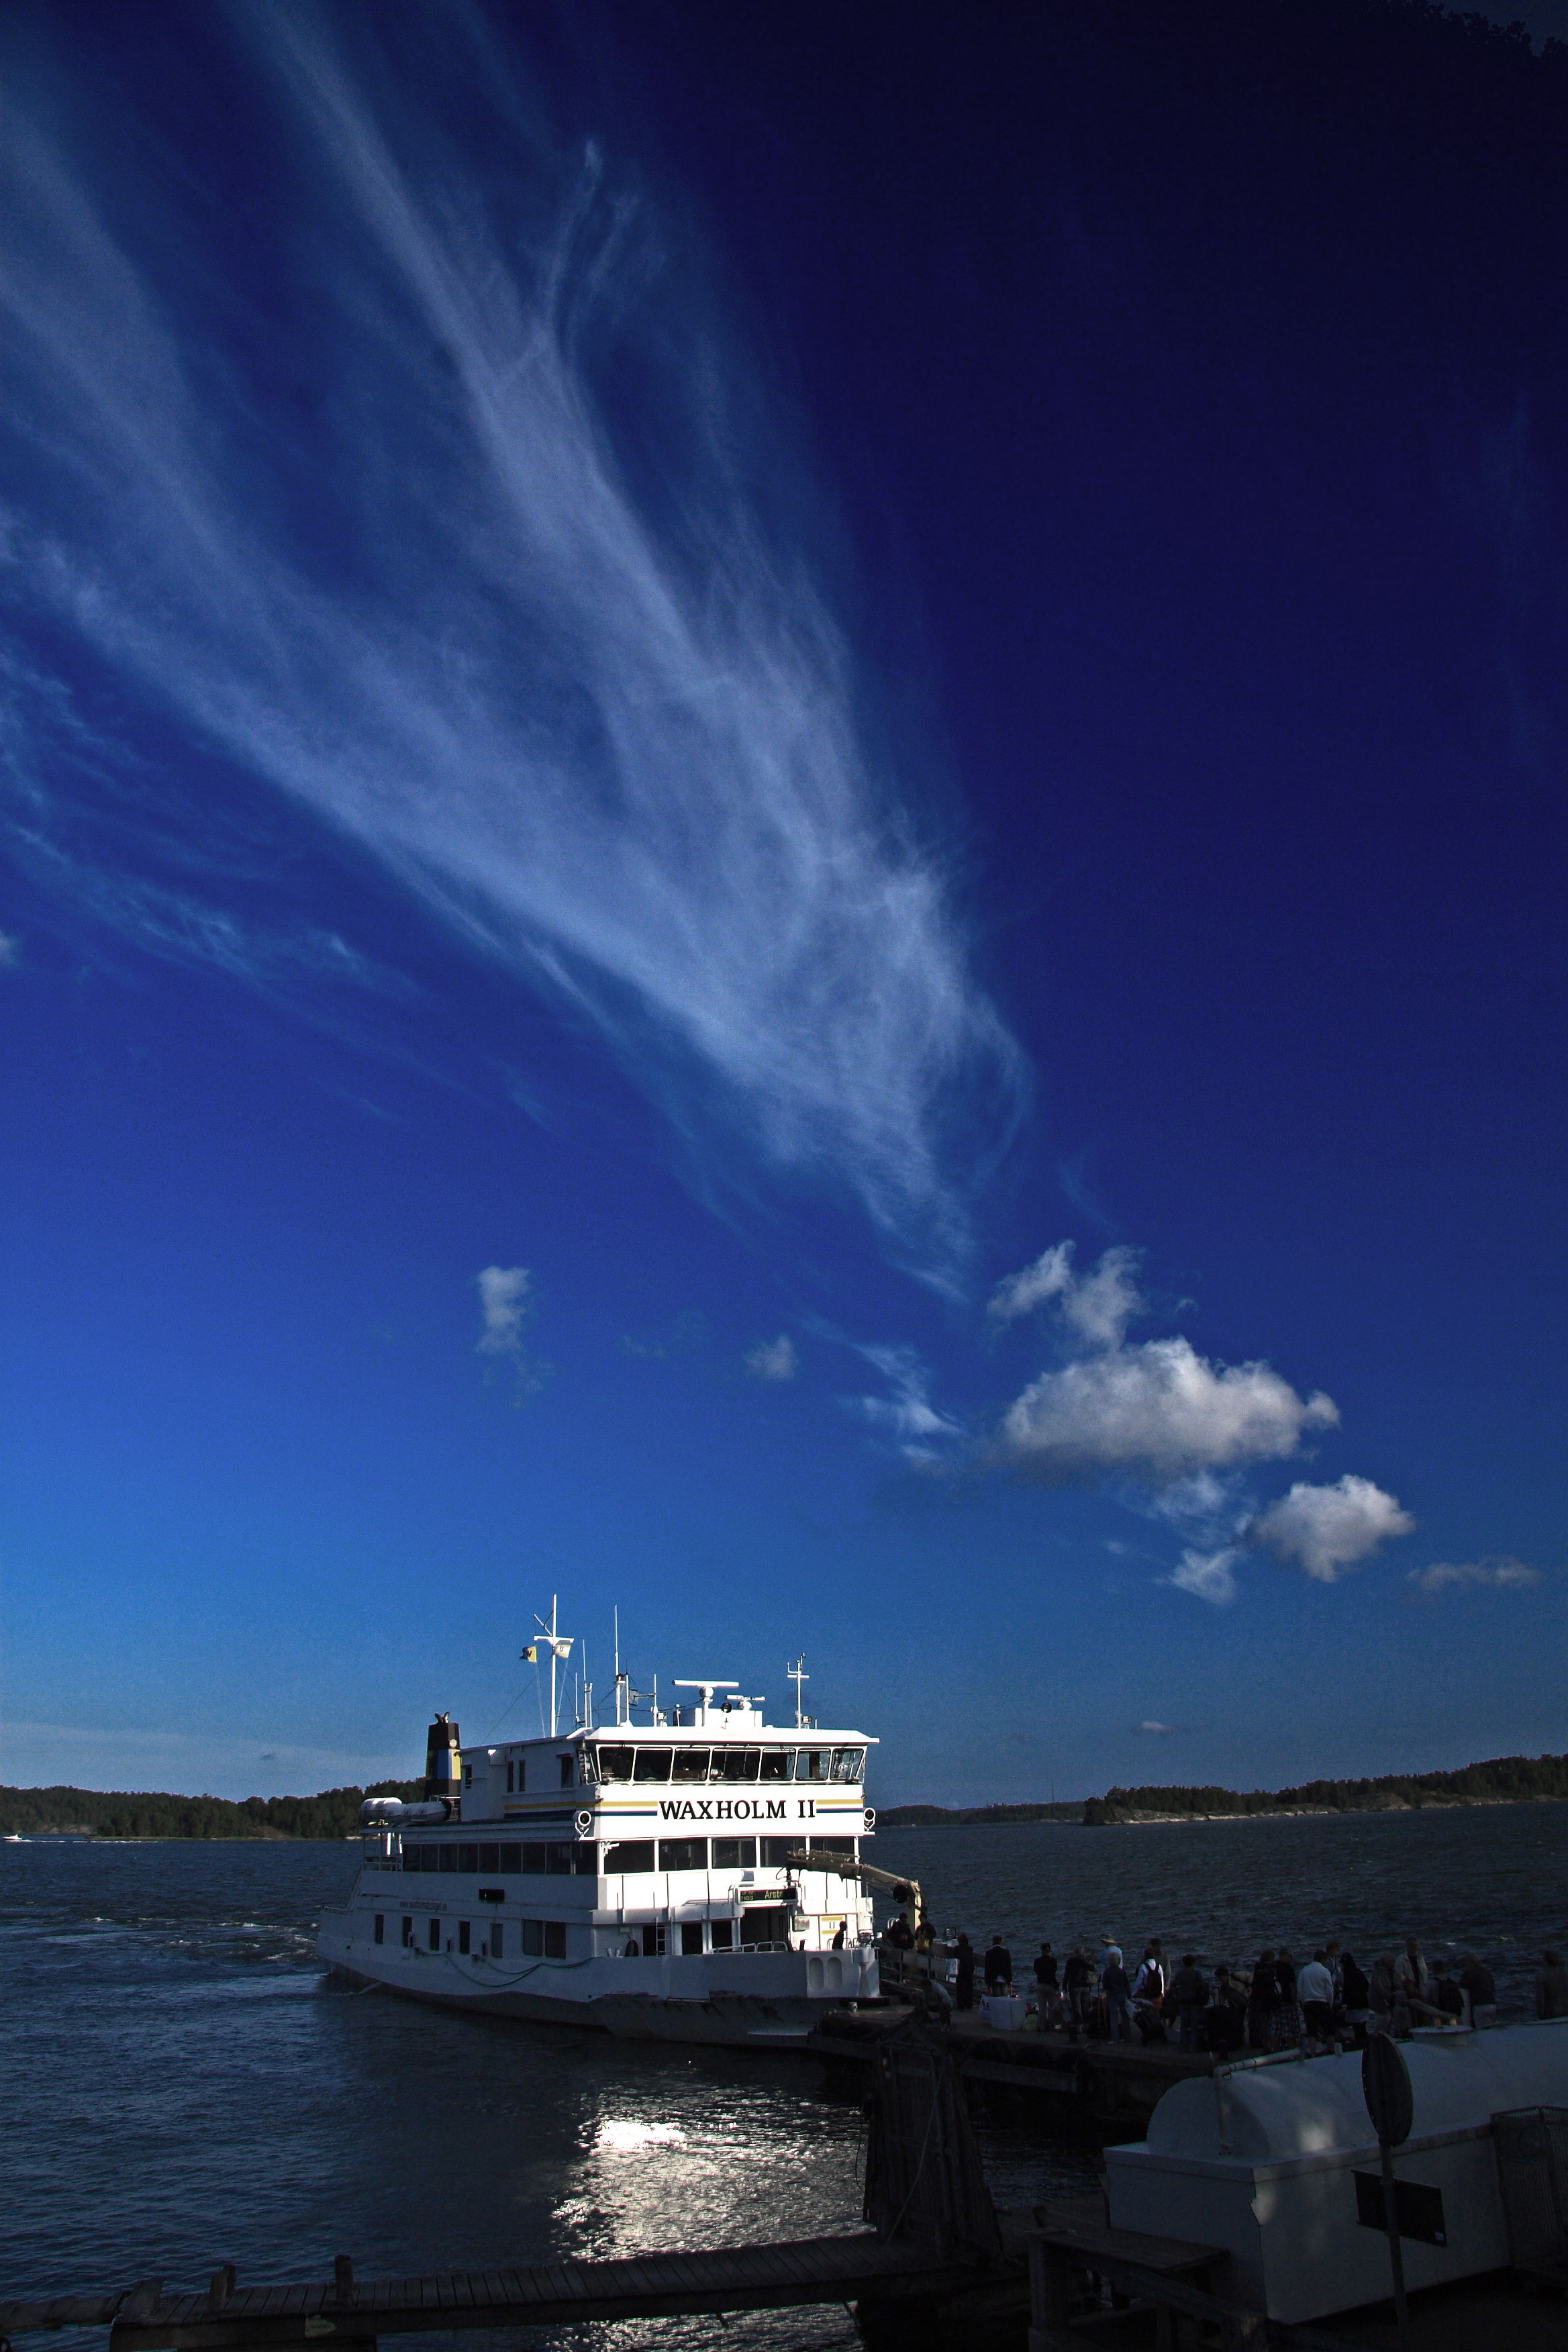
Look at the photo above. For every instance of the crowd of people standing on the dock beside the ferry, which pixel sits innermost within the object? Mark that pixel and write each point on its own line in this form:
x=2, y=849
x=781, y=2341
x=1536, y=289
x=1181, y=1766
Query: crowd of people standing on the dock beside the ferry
x=1320, y=2005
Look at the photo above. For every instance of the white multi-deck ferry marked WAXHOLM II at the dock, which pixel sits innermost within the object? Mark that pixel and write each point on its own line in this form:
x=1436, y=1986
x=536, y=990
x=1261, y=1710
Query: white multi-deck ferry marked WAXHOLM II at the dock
x=692, y=1878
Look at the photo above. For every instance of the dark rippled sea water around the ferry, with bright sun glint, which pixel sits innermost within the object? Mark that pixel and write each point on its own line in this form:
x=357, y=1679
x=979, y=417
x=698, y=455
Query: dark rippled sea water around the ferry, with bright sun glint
x=185, y=2087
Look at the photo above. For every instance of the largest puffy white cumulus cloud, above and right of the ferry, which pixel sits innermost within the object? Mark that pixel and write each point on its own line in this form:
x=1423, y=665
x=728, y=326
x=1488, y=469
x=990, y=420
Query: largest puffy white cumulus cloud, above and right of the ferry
x=1158, y=1412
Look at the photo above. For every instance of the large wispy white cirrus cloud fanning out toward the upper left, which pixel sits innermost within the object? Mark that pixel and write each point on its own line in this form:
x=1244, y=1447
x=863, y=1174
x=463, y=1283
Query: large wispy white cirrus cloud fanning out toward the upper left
x=537, y=646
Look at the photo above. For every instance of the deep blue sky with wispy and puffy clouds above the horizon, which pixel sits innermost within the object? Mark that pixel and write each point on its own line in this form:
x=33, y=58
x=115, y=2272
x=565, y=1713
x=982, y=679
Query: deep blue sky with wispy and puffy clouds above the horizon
x=784, y=843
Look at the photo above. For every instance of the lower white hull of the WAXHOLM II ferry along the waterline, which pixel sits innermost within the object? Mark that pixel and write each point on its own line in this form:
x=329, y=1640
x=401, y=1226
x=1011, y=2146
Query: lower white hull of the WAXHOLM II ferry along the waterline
x=716, y=1998
